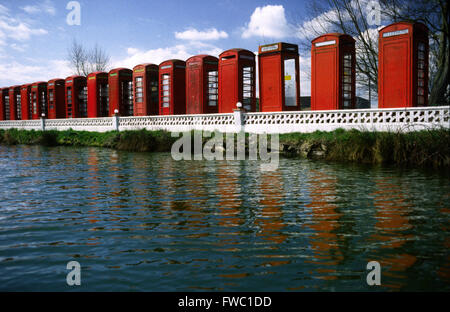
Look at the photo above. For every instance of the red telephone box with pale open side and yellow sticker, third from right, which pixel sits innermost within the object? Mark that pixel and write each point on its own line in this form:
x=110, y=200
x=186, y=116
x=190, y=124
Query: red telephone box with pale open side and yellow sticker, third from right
x=279, y=87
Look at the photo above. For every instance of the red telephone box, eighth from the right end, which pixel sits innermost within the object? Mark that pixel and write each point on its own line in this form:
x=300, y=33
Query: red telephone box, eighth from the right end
x=121, y=91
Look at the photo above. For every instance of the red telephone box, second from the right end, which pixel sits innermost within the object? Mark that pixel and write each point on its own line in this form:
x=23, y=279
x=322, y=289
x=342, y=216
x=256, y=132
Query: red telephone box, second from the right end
x=333, y=72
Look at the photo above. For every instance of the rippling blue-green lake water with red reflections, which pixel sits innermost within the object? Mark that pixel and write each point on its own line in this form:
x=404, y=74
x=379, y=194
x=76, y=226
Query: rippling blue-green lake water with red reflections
x=144, y=222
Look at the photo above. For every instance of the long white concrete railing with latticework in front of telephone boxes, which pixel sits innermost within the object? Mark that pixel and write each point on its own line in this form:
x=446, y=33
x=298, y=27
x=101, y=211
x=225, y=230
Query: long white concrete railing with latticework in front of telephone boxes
x=397, y=119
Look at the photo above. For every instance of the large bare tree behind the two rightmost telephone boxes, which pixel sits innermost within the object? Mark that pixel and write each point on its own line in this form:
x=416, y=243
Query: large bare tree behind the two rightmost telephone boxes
x=350, y=17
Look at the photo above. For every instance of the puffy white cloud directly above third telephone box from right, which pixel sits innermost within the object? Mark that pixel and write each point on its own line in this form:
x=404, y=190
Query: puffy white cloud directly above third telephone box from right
x=268, y=21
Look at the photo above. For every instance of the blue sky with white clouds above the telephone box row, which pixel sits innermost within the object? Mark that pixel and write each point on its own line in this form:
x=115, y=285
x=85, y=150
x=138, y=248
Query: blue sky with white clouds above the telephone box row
x=35, y=37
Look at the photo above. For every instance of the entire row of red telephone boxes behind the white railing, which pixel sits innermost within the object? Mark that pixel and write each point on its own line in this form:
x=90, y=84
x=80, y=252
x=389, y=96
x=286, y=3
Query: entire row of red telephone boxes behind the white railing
x=206, y=84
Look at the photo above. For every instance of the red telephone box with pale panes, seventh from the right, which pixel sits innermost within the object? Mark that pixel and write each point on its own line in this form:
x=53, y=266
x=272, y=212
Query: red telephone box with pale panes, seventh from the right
x=145, y=97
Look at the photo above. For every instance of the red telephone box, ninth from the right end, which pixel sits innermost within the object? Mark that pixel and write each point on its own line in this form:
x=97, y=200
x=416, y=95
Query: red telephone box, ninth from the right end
x=98, y=98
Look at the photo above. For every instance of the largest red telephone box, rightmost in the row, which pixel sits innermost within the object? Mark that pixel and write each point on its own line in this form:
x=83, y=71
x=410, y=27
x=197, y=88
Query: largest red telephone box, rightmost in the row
x=403, y=65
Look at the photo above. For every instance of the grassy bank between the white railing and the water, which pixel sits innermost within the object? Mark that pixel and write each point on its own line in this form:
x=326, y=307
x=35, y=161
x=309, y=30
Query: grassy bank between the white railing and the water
x=429, y=148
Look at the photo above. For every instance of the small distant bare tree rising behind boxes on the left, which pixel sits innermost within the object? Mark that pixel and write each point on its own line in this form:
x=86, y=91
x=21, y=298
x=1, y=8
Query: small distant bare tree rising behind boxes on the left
x=84, y=61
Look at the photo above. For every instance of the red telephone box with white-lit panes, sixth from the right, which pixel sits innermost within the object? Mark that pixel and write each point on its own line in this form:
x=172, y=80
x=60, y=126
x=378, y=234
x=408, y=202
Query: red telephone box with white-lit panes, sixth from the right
x=172, y=87
